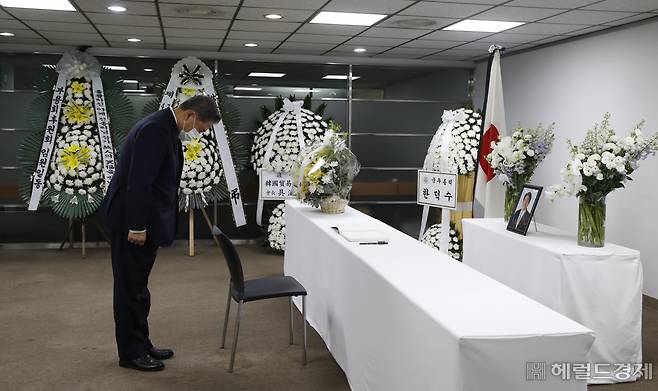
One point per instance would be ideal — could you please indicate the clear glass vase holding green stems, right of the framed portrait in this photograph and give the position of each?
(591, 222)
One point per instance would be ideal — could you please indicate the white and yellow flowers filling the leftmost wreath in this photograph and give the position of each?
(76, 169)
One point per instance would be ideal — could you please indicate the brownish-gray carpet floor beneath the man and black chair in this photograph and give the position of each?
(57, 329)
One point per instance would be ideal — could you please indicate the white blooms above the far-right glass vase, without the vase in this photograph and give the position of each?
(603, 162)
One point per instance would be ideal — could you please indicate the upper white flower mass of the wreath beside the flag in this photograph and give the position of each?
(463, 148)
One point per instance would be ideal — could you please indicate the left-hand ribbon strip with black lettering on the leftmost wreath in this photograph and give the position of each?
(48, 144)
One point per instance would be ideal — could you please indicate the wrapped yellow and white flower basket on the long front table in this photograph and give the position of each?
(324, 173)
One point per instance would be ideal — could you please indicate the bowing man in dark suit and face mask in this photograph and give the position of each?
(141, 210)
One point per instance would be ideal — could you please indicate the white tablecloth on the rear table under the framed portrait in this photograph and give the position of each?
(600, 288)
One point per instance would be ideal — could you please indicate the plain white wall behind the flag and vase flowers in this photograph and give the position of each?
(573, 84)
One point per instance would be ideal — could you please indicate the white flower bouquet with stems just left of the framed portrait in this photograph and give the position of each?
(515, 158)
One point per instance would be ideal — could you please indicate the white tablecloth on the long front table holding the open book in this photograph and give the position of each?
(403, 316)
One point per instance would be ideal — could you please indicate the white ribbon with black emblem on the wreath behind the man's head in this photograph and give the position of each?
(201, 75)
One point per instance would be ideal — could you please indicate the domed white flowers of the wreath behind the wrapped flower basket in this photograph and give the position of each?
(285, 149)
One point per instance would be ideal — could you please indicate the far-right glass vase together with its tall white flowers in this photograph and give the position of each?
(601, 164)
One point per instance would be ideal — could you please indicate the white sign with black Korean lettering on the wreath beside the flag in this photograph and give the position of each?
(438, 189)
